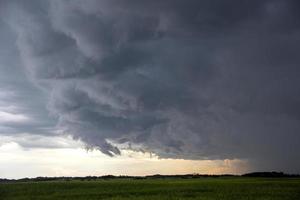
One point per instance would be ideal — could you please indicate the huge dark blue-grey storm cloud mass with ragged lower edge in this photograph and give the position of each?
(183, 79)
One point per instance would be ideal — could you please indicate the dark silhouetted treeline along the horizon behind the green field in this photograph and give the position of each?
(156, 176)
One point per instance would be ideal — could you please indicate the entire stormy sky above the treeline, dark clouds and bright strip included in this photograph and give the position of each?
(142, 87)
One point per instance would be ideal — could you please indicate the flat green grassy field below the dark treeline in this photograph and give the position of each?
(202, 188)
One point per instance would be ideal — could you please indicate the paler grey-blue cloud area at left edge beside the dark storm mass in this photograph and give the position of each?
(22, 108)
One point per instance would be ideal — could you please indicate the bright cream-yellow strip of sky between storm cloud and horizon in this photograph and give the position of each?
(67, 157)
